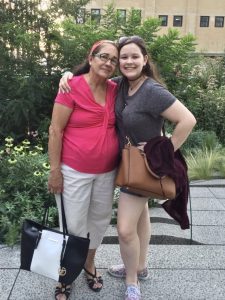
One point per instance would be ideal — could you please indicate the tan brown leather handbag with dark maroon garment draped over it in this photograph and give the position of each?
(135, 175)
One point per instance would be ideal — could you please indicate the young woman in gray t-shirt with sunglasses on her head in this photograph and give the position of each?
(142, 104)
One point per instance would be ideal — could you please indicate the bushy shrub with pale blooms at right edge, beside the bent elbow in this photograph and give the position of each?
(202, 89)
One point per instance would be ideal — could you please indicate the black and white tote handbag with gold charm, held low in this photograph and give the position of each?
(51, 253)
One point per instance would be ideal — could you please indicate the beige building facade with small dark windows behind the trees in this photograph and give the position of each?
(203, 18)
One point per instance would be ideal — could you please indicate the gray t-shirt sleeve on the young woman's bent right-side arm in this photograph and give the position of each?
(158, 99)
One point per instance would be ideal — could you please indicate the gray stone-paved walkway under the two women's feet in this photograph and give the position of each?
(178, 270)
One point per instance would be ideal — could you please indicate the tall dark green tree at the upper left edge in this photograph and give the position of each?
(29, 44)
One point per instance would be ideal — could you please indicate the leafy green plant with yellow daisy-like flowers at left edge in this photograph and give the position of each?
(23, 190)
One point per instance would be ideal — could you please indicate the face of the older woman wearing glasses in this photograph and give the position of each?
(103, 62)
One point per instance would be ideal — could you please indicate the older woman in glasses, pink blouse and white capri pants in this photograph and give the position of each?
(83, 152)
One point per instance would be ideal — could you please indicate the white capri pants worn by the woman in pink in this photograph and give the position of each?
(87, 201)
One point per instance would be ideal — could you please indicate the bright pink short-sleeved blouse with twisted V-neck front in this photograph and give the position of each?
(90, 142)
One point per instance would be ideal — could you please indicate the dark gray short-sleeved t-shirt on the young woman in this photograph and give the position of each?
(139, 115)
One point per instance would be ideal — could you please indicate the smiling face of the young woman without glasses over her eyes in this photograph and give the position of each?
(132, 61)
